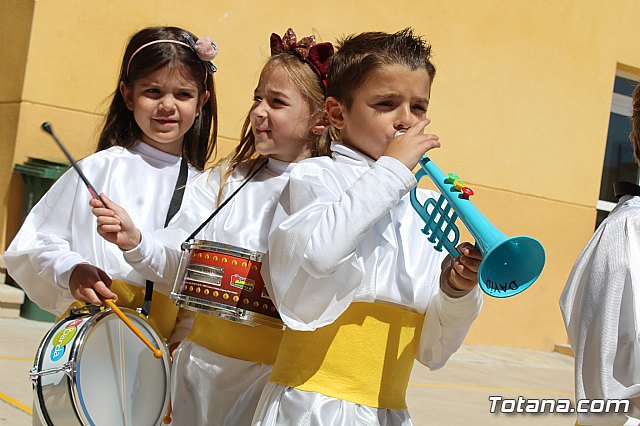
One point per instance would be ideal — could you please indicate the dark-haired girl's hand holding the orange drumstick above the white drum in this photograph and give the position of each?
(90, 284)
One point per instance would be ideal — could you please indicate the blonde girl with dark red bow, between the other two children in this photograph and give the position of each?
(220, 369)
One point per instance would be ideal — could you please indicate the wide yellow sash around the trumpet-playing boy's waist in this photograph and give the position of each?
(365, 356)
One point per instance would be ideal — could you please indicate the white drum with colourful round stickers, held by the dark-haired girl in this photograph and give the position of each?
(93, 370)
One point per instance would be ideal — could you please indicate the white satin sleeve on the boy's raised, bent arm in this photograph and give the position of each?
(316, 272)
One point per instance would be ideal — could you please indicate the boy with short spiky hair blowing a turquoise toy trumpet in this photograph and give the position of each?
(361, 290)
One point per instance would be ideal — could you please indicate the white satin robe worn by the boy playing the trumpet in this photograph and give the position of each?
(345, 232)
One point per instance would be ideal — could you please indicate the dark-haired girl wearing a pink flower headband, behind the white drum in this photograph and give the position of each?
(159, 132)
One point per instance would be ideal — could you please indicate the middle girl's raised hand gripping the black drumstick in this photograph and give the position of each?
(114, 224)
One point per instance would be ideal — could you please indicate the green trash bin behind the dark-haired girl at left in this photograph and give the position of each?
(38, 175)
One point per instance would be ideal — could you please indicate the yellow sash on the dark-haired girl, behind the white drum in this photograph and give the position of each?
(163, 311)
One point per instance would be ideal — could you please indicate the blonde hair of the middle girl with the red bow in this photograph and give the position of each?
(312, 90)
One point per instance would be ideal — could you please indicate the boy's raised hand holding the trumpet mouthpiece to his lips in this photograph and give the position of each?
(408, 148)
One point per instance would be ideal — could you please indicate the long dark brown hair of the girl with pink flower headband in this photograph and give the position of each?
(120, 127)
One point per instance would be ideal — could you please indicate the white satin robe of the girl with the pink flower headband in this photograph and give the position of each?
(60, 231)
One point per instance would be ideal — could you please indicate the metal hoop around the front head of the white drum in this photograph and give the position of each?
(78, 343)
